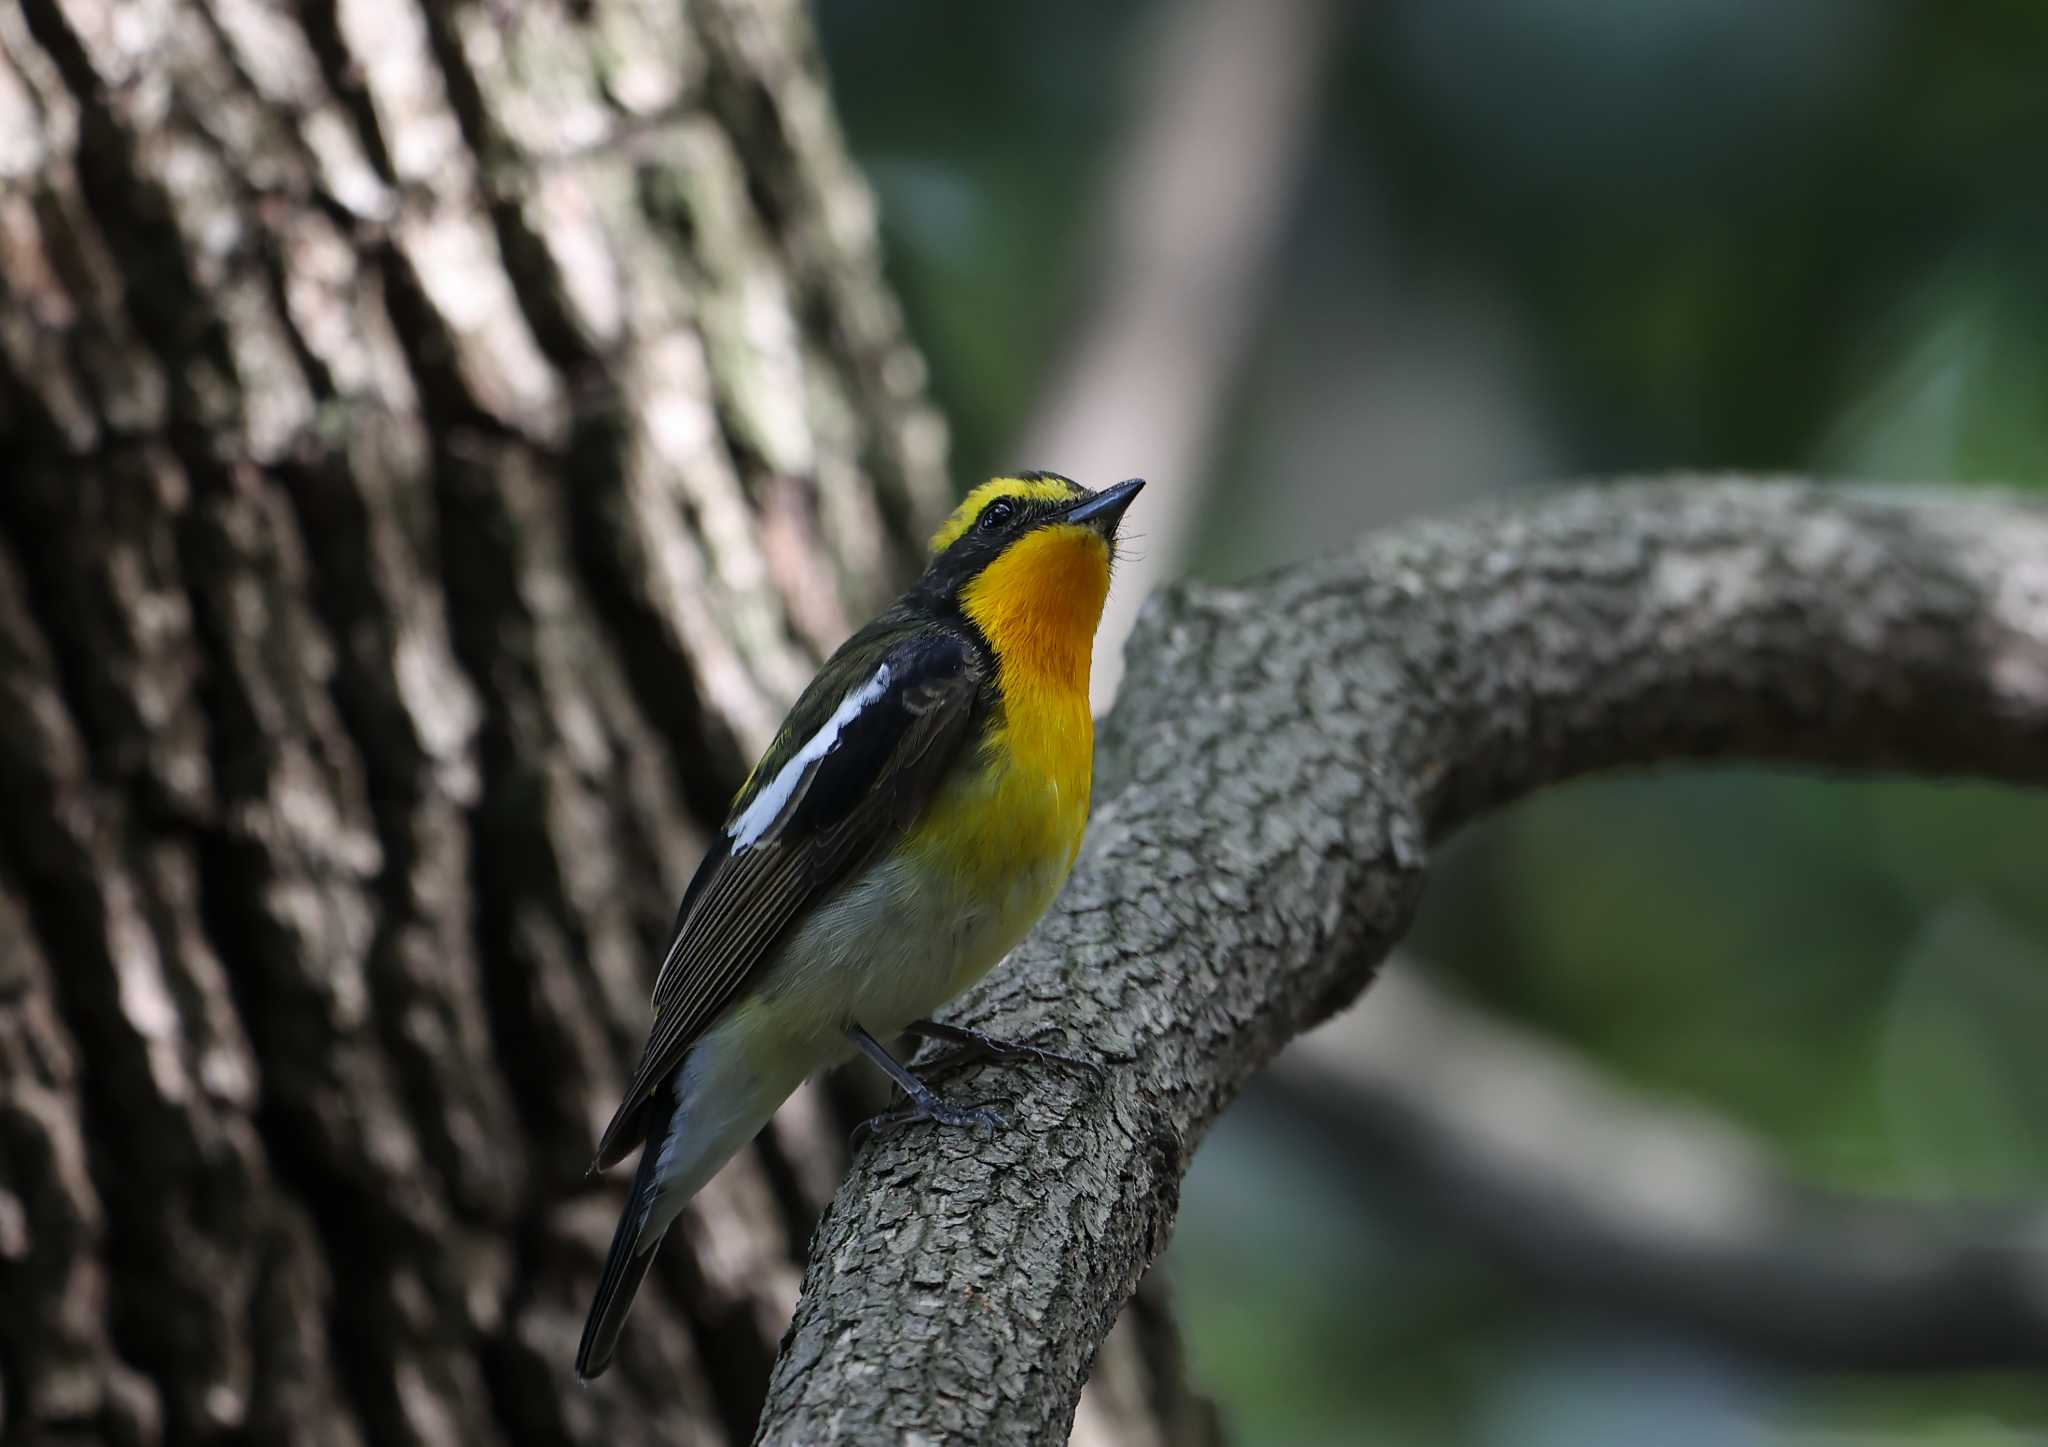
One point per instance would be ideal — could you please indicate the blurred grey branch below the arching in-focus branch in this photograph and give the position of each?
(1652, 1207)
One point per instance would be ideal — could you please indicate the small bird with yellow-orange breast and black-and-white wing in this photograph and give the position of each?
(910, 822)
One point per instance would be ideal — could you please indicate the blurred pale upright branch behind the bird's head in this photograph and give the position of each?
(1191, 220)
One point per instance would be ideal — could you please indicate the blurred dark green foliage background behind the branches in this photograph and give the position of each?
(1531, 240)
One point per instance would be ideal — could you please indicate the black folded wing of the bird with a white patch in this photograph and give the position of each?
(816, 809)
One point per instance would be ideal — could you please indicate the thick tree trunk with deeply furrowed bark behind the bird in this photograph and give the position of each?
(437, 443)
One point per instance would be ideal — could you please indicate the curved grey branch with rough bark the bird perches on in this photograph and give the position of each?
(1271, 781)
